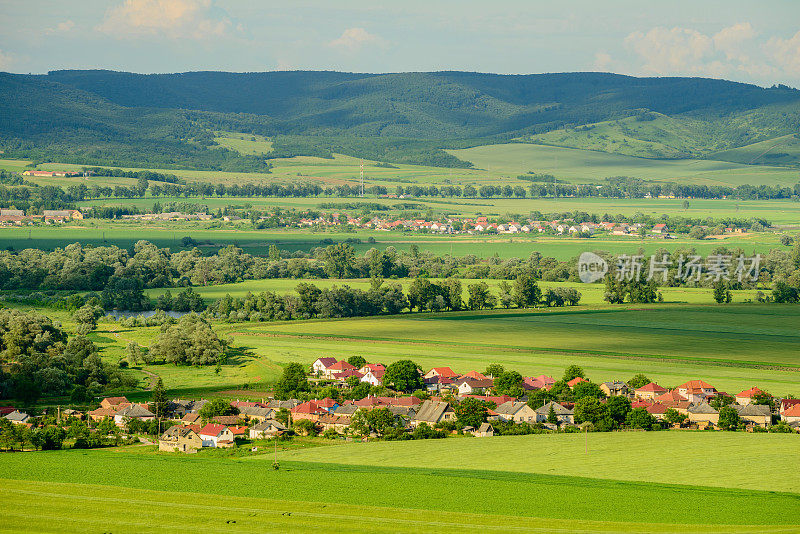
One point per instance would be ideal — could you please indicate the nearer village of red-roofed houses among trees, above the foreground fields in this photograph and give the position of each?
(440, 408)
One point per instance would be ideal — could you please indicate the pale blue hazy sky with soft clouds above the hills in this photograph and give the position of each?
(754, 42)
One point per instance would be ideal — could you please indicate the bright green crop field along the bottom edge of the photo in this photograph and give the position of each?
(344, 497)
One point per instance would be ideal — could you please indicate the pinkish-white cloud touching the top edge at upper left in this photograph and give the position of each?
(175, 19)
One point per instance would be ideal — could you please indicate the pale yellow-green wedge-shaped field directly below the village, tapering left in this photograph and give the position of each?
(720, 459)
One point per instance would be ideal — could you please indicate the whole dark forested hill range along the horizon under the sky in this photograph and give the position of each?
(168, 120)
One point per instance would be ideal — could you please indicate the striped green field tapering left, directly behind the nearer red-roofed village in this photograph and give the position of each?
(733, 347)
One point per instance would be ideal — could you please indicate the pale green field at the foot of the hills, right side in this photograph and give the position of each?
(579, 166)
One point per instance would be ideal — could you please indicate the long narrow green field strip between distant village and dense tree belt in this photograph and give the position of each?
(257, 242)
